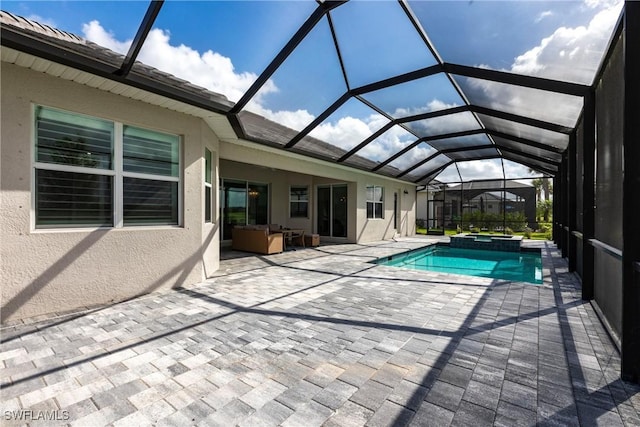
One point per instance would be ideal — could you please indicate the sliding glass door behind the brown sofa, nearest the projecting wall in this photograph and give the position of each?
(242, 203)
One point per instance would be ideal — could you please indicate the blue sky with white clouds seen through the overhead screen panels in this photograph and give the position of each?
(225, 45)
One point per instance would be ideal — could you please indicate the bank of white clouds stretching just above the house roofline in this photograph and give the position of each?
(216, 73)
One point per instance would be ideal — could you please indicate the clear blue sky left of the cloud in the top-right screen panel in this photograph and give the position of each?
(495, 32)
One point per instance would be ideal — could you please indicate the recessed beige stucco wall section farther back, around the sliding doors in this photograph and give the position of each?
(284, 169)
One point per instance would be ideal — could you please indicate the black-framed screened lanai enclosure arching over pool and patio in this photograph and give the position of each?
(423, 91)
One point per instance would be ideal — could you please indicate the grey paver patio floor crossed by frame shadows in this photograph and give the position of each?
(321, 336)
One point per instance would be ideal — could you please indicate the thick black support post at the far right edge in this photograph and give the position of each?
(630, 200)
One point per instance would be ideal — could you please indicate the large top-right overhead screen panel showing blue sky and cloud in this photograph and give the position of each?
(560, 40)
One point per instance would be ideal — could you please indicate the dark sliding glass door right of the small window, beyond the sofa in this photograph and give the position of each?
(332, 210)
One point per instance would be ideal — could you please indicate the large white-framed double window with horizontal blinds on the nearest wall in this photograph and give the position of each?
(91, 172)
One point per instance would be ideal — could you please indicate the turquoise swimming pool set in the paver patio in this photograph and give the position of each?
(525, 266)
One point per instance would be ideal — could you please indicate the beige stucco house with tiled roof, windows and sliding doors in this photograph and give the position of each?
(110, 191)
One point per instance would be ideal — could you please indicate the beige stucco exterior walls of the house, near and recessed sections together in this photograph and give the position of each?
(58, 270)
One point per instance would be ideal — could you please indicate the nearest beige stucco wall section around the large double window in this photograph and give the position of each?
(45, 271)
